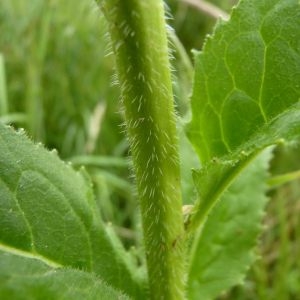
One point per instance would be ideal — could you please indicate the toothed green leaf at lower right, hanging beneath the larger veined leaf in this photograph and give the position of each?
(223, 250)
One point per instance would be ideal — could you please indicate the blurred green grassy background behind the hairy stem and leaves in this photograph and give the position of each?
(57, 81)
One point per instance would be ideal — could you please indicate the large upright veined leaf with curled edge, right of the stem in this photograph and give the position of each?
(246, 93)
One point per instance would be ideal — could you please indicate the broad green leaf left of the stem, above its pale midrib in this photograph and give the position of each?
(47, 209)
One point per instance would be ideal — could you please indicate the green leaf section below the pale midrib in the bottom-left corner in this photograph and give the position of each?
(27, 278)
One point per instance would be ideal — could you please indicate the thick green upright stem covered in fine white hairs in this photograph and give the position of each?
(139, 40)
